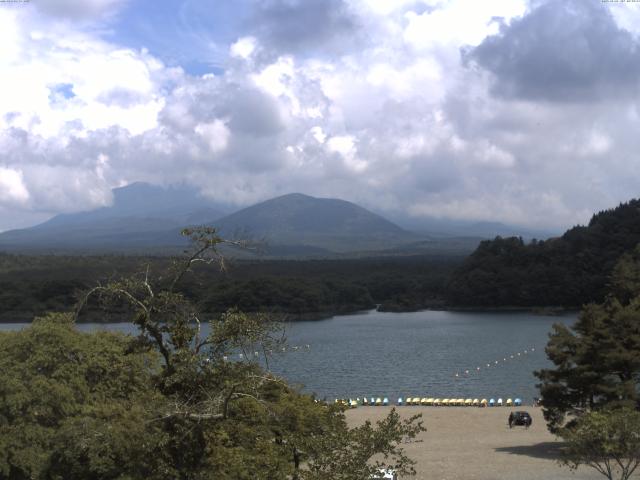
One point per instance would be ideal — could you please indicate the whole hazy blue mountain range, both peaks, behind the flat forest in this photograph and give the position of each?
(147, 219)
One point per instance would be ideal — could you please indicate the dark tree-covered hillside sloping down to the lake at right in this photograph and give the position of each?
(567, 271)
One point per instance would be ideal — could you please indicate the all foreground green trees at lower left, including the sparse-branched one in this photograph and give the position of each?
(168, 404)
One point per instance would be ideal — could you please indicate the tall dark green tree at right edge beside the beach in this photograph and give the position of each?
(597, 361)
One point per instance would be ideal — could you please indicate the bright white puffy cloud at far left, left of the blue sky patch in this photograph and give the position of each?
(95, 73)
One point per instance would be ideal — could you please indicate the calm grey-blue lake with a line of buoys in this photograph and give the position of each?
(411, 354)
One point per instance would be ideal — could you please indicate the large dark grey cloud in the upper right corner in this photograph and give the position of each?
(563, 50)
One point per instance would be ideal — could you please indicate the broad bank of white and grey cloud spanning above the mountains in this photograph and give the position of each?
(396, 122)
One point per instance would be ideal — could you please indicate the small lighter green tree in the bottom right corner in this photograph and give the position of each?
(608, 441)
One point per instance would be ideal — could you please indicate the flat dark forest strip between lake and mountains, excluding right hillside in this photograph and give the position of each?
(33, 285)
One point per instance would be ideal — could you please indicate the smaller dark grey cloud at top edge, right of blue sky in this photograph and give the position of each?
(291, 26)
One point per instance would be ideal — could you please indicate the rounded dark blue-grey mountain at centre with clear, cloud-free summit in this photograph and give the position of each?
(296, 220)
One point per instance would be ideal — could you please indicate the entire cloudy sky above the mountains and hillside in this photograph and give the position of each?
(519, 111)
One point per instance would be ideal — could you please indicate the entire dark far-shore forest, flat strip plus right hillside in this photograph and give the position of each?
(566, 272)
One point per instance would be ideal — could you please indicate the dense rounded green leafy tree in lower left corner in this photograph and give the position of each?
(54, 379)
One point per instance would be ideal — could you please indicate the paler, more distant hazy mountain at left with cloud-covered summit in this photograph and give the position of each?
(140, 217)
